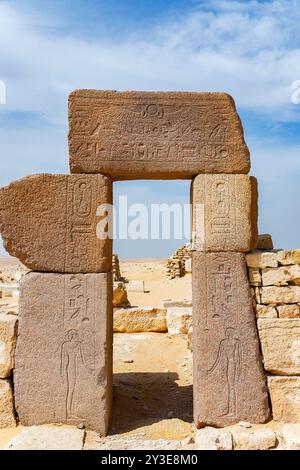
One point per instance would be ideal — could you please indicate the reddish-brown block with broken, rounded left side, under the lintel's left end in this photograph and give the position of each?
(49, 222)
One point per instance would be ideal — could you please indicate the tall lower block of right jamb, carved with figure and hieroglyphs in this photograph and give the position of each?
(229, 384)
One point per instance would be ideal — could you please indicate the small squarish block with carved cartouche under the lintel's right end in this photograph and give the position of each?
(224, 213)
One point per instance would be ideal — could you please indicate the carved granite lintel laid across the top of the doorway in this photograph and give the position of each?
(130, 135)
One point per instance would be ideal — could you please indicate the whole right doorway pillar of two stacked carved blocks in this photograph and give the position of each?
(229, 383)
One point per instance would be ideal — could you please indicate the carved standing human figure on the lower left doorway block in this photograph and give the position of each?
(71, 356)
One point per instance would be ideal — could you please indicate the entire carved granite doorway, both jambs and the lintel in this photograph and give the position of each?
(63, 360)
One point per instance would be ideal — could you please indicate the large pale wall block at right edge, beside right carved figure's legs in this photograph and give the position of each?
(280, 343)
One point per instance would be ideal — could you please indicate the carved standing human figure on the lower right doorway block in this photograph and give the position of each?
(230, 352)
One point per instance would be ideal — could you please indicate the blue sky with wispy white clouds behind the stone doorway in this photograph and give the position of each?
(250, 49)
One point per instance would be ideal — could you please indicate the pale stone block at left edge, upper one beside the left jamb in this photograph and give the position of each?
(8, 334)
